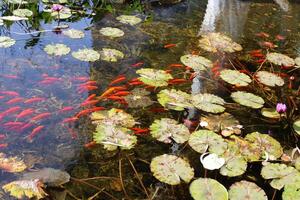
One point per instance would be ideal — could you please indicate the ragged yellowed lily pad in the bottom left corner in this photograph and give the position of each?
(25, 188)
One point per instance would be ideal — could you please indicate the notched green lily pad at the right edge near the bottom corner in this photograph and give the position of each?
(280, 174)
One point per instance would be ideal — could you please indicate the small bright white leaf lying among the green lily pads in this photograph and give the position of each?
(212, 161)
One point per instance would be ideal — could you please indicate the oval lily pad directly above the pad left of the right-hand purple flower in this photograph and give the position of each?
(269, 79)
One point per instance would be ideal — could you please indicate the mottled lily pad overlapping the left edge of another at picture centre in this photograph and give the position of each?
(174, 99)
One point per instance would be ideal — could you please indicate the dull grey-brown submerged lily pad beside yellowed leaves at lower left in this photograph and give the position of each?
(49, 176)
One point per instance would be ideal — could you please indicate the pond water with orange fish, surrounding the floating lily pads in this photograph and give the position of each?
(50, 91)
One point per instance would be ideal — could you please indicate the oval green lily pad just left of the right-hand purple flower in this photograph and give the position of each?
(248, 99)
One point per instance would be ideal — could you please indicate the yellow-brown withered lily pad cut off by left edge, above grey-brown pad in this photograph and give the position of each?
(11, 164)
